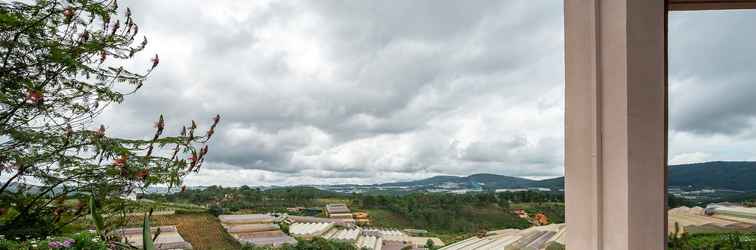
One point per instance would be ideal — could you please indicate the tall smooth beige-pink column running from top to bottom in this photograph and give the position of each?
(615, 124)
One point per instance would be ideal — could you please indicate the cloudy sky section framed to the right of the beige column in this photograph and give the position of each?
(712, 86)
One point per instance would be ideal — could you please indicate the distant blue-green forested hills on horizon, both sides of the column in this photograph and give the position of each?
(718, 175)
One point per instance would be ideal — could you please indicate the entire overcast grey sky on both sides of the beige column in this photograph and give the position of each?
(325, 92)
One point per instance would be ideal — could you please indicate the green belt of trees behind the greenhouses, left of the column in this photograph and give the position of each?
(440, 212)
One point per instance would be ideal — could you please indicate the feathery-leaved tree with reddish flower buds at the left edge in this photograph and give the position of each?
(60, 67)
